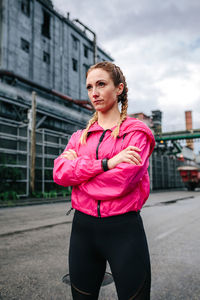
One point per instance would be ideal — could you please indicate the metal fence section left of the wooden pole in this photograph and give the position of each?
(14, 157)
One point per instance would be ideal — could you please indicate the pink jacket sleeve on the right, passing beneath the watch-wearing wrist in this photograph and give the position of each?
(120, 180)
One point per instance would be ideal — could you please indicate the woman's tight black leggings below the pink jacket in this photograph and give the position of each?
(121, 241)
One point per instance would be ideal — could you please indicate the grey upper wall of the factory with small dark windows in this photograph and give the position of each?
(47, 60)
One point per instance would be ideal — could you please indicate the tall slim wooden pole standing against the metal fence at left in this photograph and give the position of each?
(33, 142)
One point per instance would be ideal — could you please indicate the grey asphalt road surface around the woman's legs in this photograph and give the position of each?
(34, 249)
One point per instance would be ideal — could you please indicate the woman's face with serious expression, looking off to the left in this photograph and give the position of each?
(102, 91)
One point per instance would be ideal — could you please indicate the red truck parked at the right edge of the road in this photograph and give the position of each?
(190, 176)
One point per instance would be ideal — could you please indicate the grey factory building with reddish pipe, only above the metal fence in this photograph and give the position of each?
(42, 50)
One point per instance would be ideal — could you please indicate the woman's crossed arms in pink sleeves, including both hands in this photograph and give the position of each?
(125, 169)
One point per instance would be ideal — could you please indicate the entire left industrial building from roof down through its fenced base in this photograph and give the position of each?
(48, 53)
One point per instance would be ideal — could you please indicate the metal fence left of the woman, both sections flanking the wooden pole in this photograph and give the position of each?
(15, 156)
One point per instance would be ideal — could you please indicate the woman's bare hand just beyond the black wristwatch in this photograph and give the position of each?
(128, 155)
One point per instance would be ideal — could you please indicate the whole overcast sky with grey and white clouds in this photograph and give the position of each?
(157, 45)
